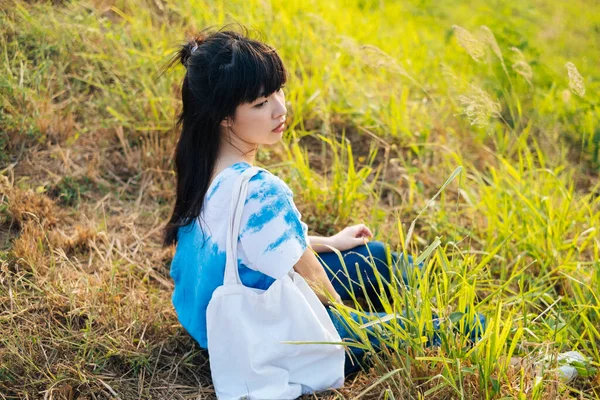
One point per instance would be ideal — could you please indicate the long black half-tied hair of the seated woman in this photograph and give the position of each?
(224, 69)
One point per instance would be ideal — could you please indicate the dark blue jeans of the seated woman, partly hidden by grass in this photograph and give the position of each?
(344, 284)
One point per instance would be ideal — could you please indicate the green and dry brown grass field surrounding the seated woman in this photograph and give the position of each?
(464, 133)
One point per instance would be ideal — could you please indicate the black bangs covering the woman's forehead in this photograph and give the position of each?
(258, 72)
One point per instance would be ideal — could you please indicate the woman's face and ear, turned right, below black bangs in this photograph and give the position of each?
(259, 122)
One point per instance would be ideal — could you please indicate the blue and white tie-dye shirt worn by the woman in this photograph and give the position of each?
(272, 239)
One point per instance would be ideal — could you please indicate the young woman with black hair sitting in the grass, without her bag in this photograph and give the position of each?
(233, 102)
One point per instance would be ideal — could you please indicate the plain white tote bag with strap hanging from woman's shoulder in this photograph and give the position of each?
(246, 328)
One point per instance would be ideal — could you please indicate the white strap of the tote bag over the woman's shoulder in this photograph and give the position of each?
(238, 198)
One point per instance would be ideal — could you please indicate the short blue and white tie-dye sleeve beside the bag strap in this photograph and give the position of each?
(272, 234)
